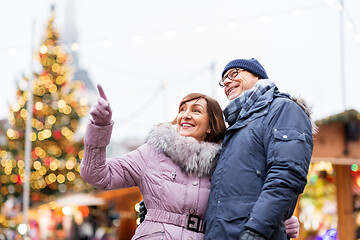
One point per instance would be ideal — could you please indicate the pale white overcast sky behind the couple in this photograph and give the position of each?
(149, 54)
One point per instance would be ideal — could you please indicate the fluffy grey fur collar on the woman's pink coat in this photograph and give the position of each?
(192, 156)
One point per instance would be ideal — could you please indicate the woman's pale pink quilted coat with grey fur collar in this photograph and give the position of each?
(171, 171)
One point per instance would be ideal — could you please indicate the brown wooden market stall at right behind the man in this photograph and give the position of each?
(337, 142)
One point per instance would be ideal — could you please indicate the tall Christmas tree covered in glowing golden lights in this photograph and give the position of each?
(56, 154)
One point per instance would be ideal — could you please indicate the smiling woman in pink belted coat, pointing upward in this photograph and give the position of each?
(172, 169)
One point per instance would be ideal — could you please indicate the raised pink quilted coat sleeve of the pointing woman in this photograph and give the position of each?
(109, 173)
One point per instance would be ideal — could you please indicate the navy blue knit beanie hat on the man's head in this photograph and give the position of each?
(250, 65)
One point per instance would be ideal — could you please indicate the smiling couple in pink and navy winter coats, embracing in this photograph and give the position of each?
(201, 180)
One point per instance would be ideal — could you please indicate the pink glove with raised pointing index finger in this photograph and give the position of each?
(101, 112)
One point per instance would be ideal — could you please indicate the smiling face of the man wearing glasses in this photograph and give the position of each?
(243, 81)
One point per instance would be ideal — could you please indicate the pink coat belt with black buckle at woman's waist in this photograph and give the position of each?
(188, 221)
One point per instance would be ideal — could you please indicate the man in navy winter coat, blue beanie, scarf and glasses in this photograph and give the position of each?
(264, 159)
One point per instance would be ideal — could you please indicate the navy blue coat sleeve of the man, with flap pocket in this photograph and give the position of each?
(288, 147)
